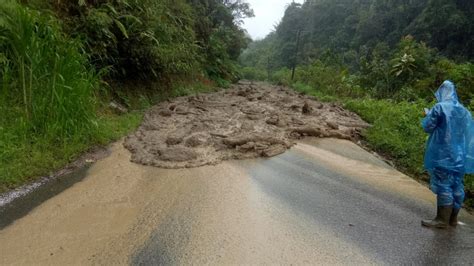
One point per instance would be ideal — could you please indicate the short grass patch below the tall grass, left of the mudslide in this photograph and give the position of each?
(24, 160)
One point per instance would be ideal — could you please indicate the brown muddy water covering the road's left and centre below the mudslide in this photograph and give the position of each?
(122, 208)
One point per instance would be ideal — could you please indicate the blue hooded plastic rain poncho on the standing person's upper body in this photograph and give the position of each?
(450, 147)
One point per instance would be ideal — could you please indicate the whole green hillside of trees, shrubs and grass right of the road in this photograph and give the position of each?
(381, 59)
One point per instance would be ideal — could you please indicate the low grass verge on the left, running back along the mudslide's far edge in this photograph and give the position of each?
(24, 160)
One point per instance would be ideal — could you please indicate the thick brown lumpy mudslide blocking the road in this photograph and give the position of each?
(248, 120)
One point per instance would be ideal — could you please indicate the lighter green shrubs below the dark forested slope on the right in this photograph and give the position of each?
(409, 71)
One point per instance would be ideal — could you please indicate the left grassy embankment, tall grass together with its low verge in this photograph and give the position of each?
(54, 104)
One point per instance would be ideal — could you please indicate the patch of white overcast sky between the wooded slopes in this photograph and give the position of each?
(267, 14)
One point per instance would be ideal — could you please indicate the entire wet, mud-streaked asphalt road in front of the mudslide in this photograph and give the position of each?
(323, 202)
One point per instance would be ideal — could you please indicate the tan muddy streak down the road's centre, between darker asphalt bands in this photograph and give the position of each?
(230, 220)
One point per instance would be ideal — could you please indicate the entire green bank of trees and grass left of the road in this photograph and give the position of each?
(62, 62)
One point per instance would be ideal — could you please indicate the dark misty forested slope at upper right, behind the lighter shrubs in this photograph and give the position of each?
(359, 26)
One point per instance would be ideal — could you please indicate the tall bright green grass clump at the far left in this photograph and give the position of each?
(44, 76)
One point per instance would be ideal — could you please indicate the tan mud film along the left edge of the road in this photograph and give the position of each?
(74, 225)
